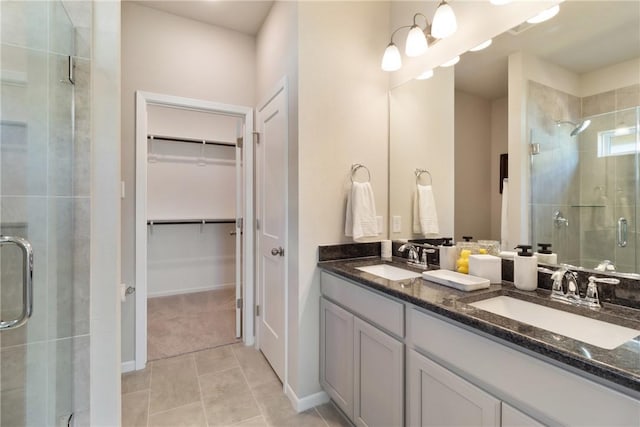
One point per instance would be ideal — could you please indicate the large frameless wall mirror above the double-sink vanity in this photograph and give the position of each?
(526, 96)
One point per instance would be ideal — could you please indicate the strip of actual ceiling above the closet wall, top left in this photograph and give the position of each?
(238, 15)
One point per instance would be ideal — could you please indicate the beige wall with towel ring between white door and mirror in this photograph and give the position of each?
(343, 120)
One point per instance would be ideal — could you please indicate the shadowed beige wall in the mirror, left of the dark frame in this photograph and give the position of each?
(472, 166)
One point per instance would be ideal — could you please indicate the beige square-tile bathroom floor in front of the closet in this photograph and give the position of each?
(223, 386)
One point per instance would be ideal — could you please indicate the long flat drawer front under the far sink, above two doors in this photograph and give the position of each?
(382, 311)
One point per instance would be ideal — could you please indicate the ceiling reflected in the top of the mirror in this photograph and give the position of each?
(583, 37)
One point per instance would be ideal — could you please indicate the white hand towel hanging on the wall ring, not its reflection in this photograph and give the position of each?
(361, 215)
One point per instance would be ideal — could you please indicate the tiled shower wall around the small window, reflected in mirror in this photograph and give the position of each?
(609, 184)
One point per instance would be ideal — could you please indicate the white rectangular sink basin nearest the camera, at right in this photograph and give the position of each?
(592, 331)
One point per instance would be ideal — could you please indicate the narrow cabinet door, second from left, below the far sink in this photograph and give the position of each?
(379, 377)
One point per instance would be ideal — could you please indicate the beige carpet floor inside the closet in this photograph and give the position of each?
(181, 324)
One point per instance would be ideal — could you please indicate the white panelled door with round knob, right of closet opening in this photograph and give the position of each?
(271, 198)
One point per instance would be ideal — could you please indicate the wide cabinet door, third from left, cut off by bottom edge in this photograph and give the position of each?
(437, 397)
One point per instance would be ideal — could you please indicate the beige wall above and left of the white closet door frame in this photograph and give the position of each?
(167, 54)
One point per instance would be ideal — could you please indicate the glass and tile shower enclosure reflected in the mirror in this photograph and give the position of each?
(585, 187)
